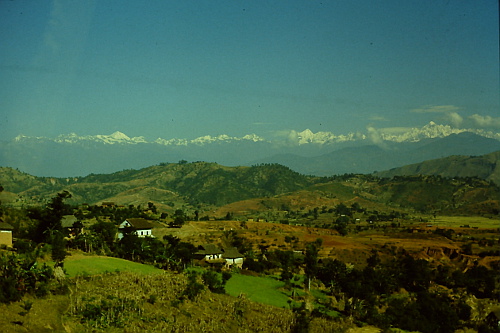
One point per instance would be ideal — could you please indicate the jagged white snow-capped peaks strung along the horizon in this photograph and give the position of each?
(429, 131)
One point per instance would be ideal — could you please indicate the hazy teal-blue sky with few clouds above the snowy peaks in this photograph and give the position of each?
(183, 69)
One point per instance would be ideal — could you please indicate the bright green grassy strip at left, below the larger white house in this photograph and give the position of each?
(100, 265)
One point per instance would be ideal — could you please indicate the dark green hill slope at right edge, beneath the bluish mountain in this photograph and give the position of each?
(485, 167)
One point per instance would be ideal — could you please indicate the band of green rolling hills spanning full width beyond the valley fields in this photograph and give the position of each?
(212, 188)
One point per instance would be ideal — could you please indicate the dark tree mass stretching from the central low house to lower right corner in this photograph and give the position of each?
(372, 294)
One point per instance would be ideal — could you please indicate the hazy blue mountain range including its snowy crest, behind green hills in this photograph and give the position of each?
(321, 153)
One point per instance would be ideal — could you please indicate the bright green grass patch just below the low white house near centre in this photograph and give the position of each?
(258, 289)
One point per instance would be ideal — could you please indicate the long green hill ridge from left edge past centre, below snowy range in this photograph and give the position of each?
(198, 182)
